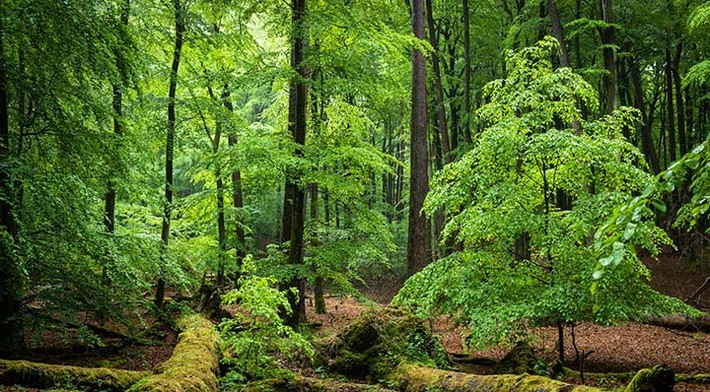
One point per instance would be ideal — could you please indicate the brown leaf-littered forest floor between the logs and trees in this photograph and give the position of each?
(622, 348)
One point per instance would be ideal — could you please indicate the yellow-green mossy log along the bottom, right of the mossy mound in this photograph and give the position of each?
(411, 377)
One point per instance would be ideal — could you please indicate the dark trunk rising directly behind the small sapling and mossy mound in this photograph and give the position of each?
(297, 103)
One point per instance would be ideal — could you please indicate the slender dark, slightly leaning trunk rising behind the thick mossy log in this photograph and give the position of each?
(169, 143)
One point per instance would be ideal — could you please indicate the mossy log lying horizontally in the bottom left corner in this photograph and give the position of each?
(40, 375)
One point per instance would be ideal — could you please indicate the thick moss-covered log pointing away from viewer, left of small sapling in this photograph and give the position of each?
(194, 365)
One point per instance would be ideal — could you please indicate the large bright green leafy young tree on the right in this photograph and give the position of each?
(524, 204)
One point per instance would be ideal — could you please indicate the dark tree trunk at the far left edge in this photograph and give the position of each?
(12, 340)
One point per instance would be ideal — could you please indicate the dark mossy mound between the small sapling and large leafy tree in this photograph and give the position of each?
(377, 341)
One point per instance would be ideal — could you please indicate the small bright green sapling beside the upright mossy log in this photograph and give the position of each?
(255, 340)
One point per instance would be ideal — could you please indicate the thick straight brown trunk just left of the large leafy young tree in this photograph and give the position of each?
(418, 235)
